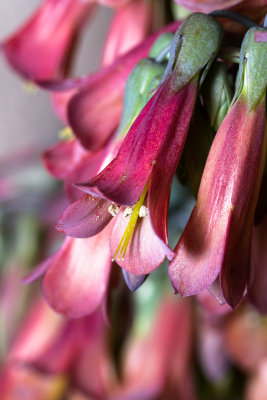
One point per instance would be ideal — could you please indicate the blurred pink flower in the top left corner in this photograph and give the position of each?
(40, 49)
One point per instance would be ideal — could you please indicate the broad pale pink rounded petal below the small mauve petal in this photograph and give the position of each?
(76, 281)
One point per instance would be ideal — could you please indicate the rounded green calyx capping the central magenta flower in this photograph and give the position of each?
(195, 46)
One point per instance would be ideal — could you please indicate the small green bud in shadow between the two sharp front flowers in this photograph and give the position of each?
(217, 94)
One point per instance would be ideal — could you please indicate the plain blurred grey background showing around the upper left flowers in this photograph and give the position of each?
(26, 117)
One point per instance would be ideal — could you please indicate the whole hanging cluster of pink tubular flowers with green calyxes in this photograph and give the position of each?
(181, 102)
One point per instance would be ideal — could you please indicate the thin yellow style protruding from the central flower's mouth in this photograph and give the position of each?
(123, 245)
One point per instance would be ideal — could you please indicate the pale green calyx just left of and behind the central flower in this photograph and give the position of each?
(143, 79)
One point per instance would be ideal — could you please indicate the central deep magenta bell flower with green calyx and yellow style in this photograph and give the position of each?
(148, 157)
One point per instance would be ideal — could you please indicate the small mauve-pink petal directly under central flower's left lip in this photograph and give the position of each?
(85, 218)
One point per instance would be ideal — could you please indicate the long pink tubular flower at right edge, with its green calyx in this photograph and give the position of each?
(218, 237)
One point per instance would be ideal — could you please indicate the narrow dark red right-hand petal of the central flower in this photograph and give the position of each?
(165, 167)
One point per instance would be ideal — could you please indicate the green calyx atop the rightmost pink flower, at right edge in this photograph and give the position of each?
(252, 74)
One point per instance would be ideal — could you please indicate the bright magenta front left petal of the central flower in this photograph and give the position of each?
(146, 144)
